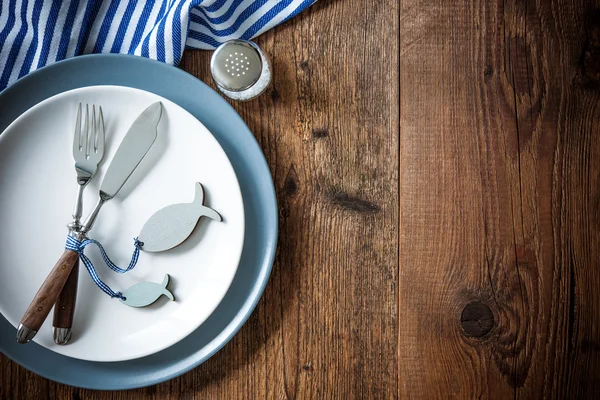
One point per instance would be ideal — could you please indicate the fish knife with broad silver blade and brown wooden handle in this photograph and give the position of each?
(130, 153)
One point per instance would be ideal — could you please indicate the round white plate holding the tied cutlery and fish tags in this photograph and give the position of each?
(38, 186)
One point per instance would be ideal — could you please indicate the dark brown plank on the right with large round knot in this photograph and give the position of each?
(499, 161)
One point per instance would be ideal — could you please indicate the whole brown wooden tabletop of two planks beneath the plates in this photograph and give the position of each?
(437, 165)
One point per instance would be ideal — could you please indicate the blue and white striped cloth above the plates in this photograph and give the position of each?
(35, 33)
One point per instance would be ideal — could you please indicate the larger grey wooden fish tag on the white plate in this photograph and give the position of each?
(173, 224)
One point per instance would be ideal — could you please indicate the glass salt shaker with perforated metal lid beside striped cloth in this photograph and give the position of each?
(240, 69)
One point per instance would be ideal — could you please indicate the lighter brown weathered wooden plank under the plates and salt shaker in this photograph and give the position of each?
(327, 325)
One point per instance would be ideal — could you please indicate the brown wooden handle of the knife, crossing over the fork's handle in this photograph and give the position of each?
(49, 291)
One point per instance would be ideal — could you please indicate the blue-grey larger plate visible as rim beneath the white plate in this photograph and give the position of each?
(259, 202)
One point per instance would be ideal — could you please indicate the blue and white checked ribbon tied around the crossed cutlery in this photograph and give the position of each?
(79, 246)
